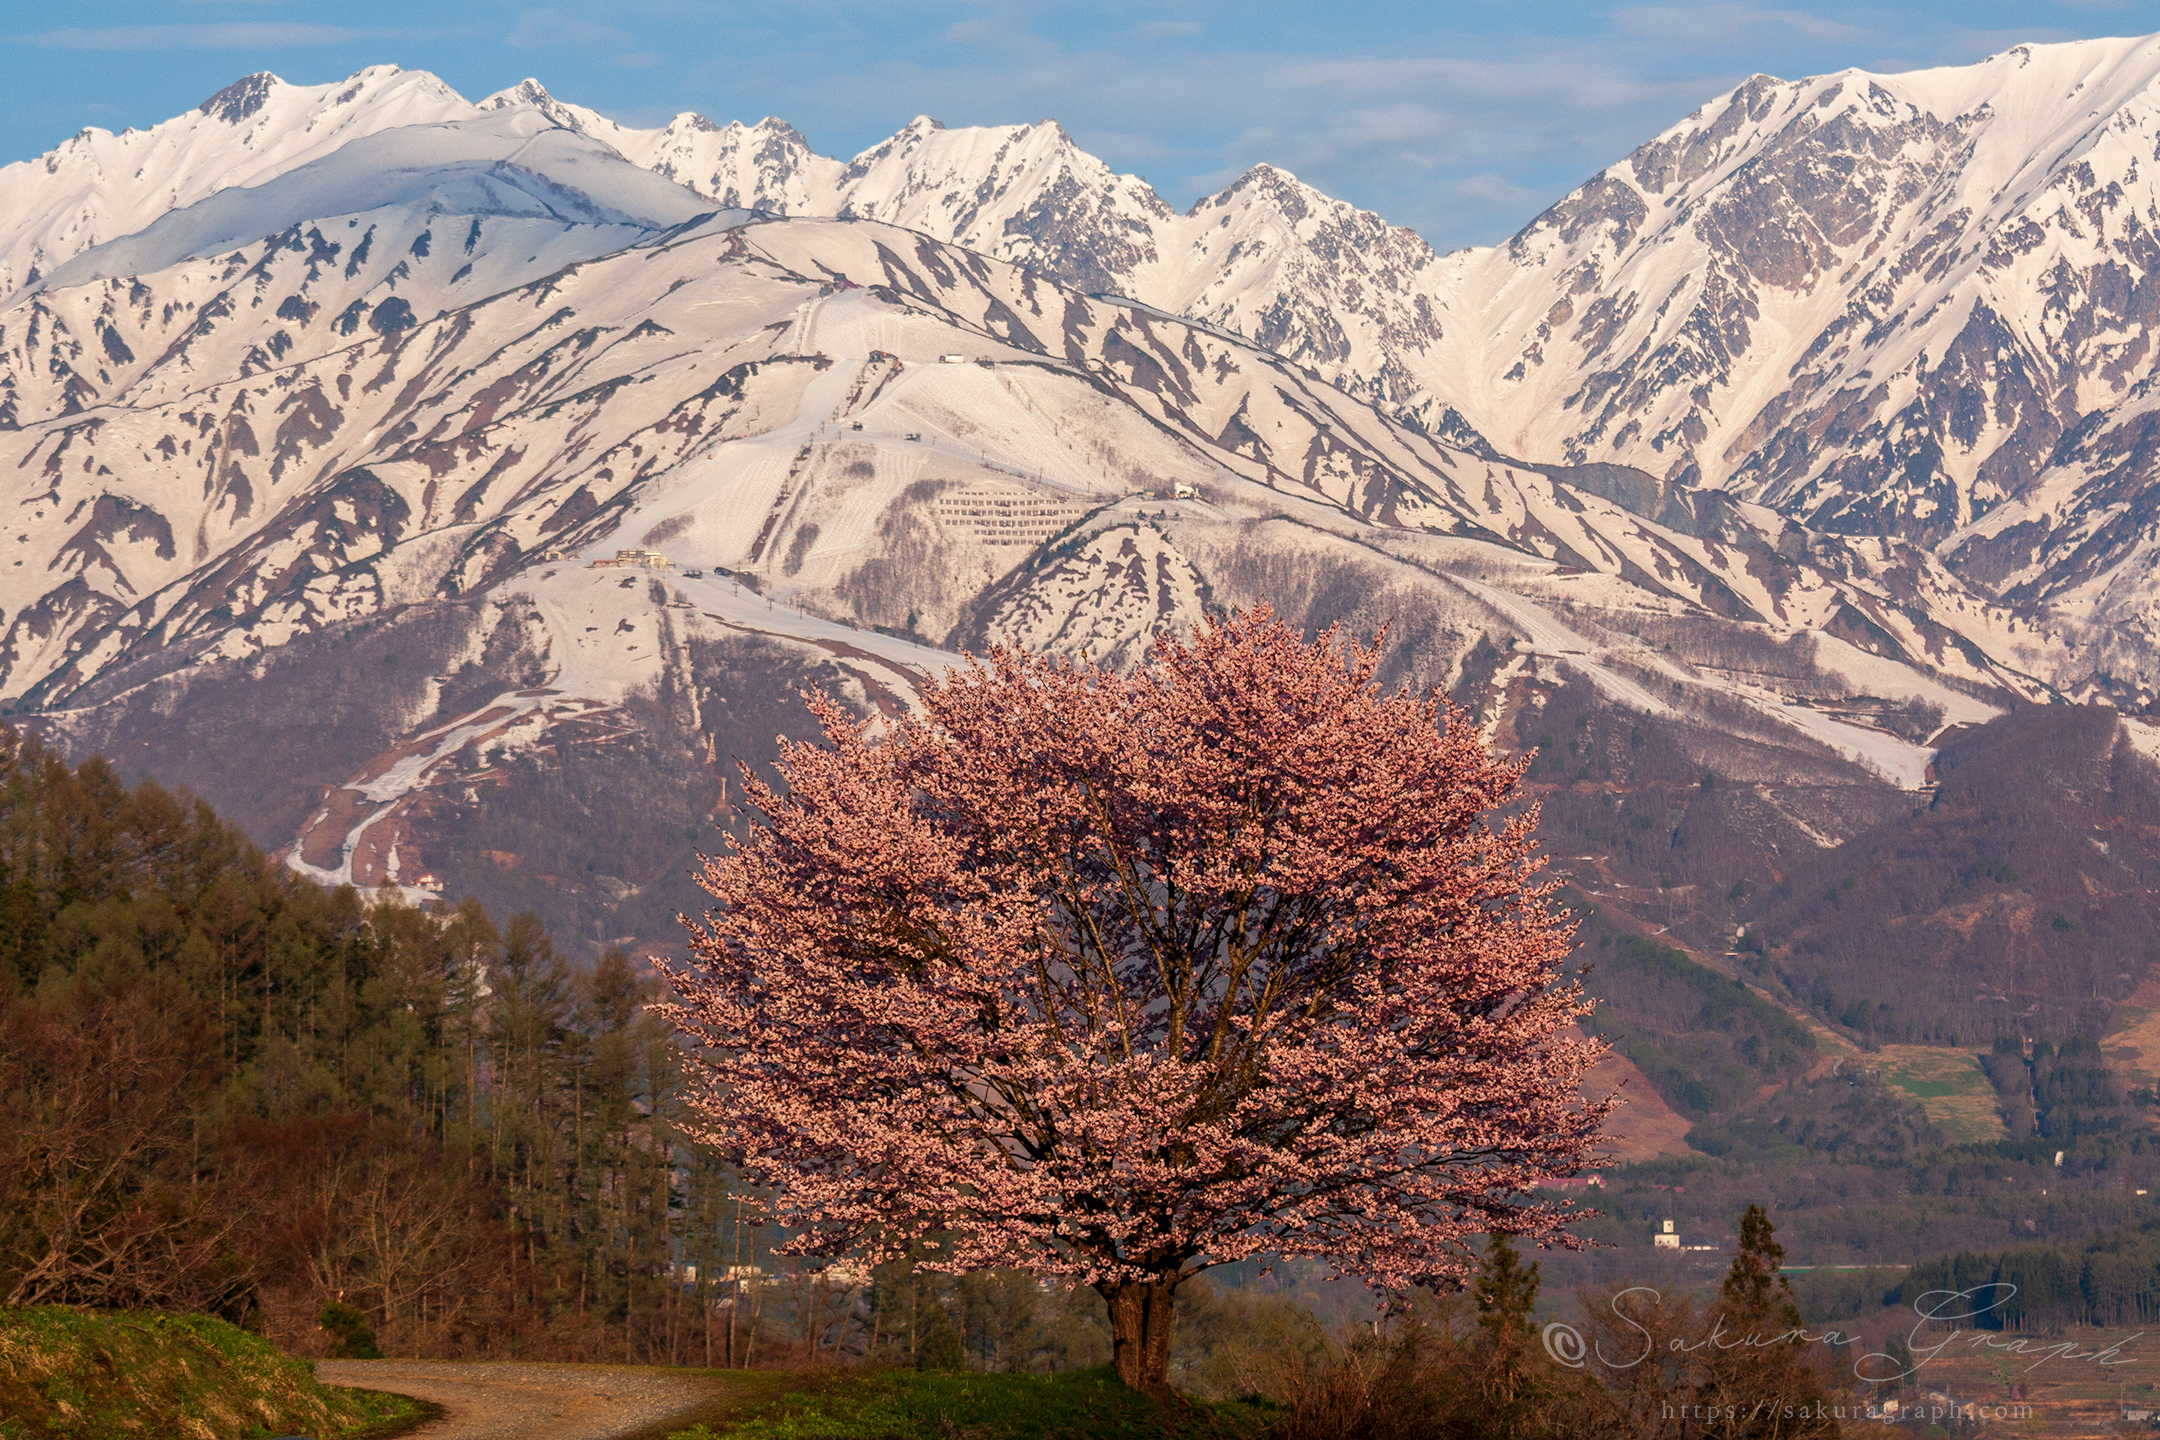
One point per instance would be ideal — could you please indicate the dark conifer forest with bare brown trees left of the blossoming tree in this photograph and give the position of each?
(228, 1089)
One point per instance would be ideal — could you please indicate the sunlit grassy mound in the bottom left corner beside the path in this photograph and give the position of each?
(90, 1374)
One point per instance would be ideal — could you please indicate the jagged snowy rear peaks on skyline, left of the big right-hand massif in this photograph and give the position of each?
(1269, 258)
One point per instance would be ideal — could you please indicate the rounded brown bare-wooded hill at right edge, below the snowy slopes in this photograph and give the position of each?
(2021, 899)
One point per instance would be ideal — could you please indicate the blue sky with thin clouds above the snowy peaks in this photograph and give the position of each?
(1457, 120)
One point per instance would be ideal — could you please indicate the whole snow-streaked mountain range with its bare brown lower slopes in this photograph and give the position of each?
(455, 491)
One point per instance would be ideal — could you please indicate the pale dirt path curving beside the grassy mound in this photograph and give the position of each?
(528, 1402)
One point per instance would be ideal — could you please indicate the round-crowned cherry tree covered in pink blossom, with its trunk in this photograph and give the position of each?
(1124, 977)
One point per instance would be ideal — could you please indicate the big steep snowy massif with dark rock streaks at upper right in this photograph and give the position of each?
(1887, 305)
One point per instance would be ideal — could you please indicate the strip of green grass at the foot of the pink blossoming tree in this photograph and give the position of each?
(936, 1407)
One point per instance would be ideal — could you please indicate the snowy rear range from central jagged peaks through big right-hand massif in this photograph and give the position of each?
(1885, 305)
